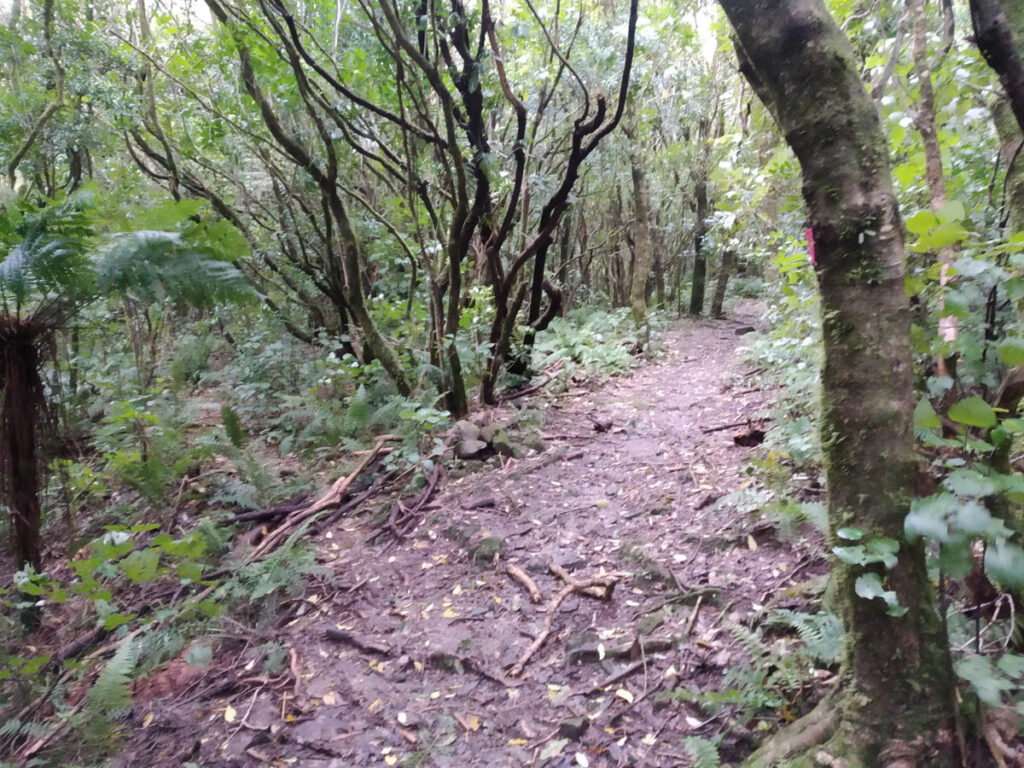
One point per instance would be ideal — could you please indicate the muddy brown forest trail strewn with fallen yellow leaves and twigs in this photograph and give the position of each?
(425, 632)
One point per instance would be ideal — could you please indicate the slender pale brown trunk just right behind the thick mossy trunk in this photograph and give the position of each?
(925, 121)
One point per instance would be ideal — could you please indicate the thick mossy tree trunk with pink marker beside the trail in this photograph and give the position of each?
(894, 707)
